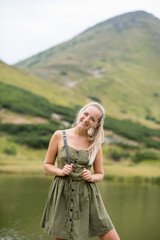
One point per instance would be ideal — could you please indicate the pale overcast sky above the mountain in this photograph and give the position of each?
(28, 27)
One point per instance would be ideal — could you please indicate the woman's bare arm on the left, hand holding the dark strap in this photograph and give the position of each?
(49, 162)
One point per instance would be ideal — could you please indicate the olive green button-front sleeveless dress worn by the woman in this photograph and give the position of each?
(74, 209)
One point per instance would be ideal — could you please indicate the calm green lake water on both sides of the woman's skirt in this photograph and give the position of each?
(133, 208)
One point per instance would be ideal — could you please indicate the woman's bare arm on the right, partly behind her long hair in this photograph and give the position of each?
(98, 169)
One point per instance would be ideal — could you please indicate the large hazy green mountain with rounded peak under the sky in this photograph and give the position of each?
(115, 62)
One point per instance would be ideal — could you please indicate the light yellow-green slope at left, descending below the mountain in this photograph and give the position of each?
(21, 79)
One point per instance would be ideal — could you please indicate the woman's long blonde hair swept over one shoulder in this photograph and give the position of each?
(95, 135)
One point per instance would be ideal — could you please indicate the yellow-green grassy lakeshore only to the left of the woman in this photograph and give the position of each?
(25, 161)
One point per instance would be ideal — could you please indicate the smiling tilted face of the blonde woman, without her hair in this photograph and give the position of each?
(89, 117)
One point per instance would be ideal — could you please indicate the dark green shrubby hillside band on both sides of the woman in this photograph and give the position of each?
(20, 101)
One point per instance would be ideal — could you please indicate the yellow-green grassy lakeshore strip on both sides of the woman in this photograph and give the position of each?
(29, 161)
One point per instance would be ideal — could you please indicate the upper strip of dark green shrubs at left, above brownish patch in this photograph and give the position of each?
(23, 101)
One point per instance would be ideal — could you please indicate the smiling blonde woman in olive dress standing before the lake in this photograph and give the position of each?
(74, 209)
